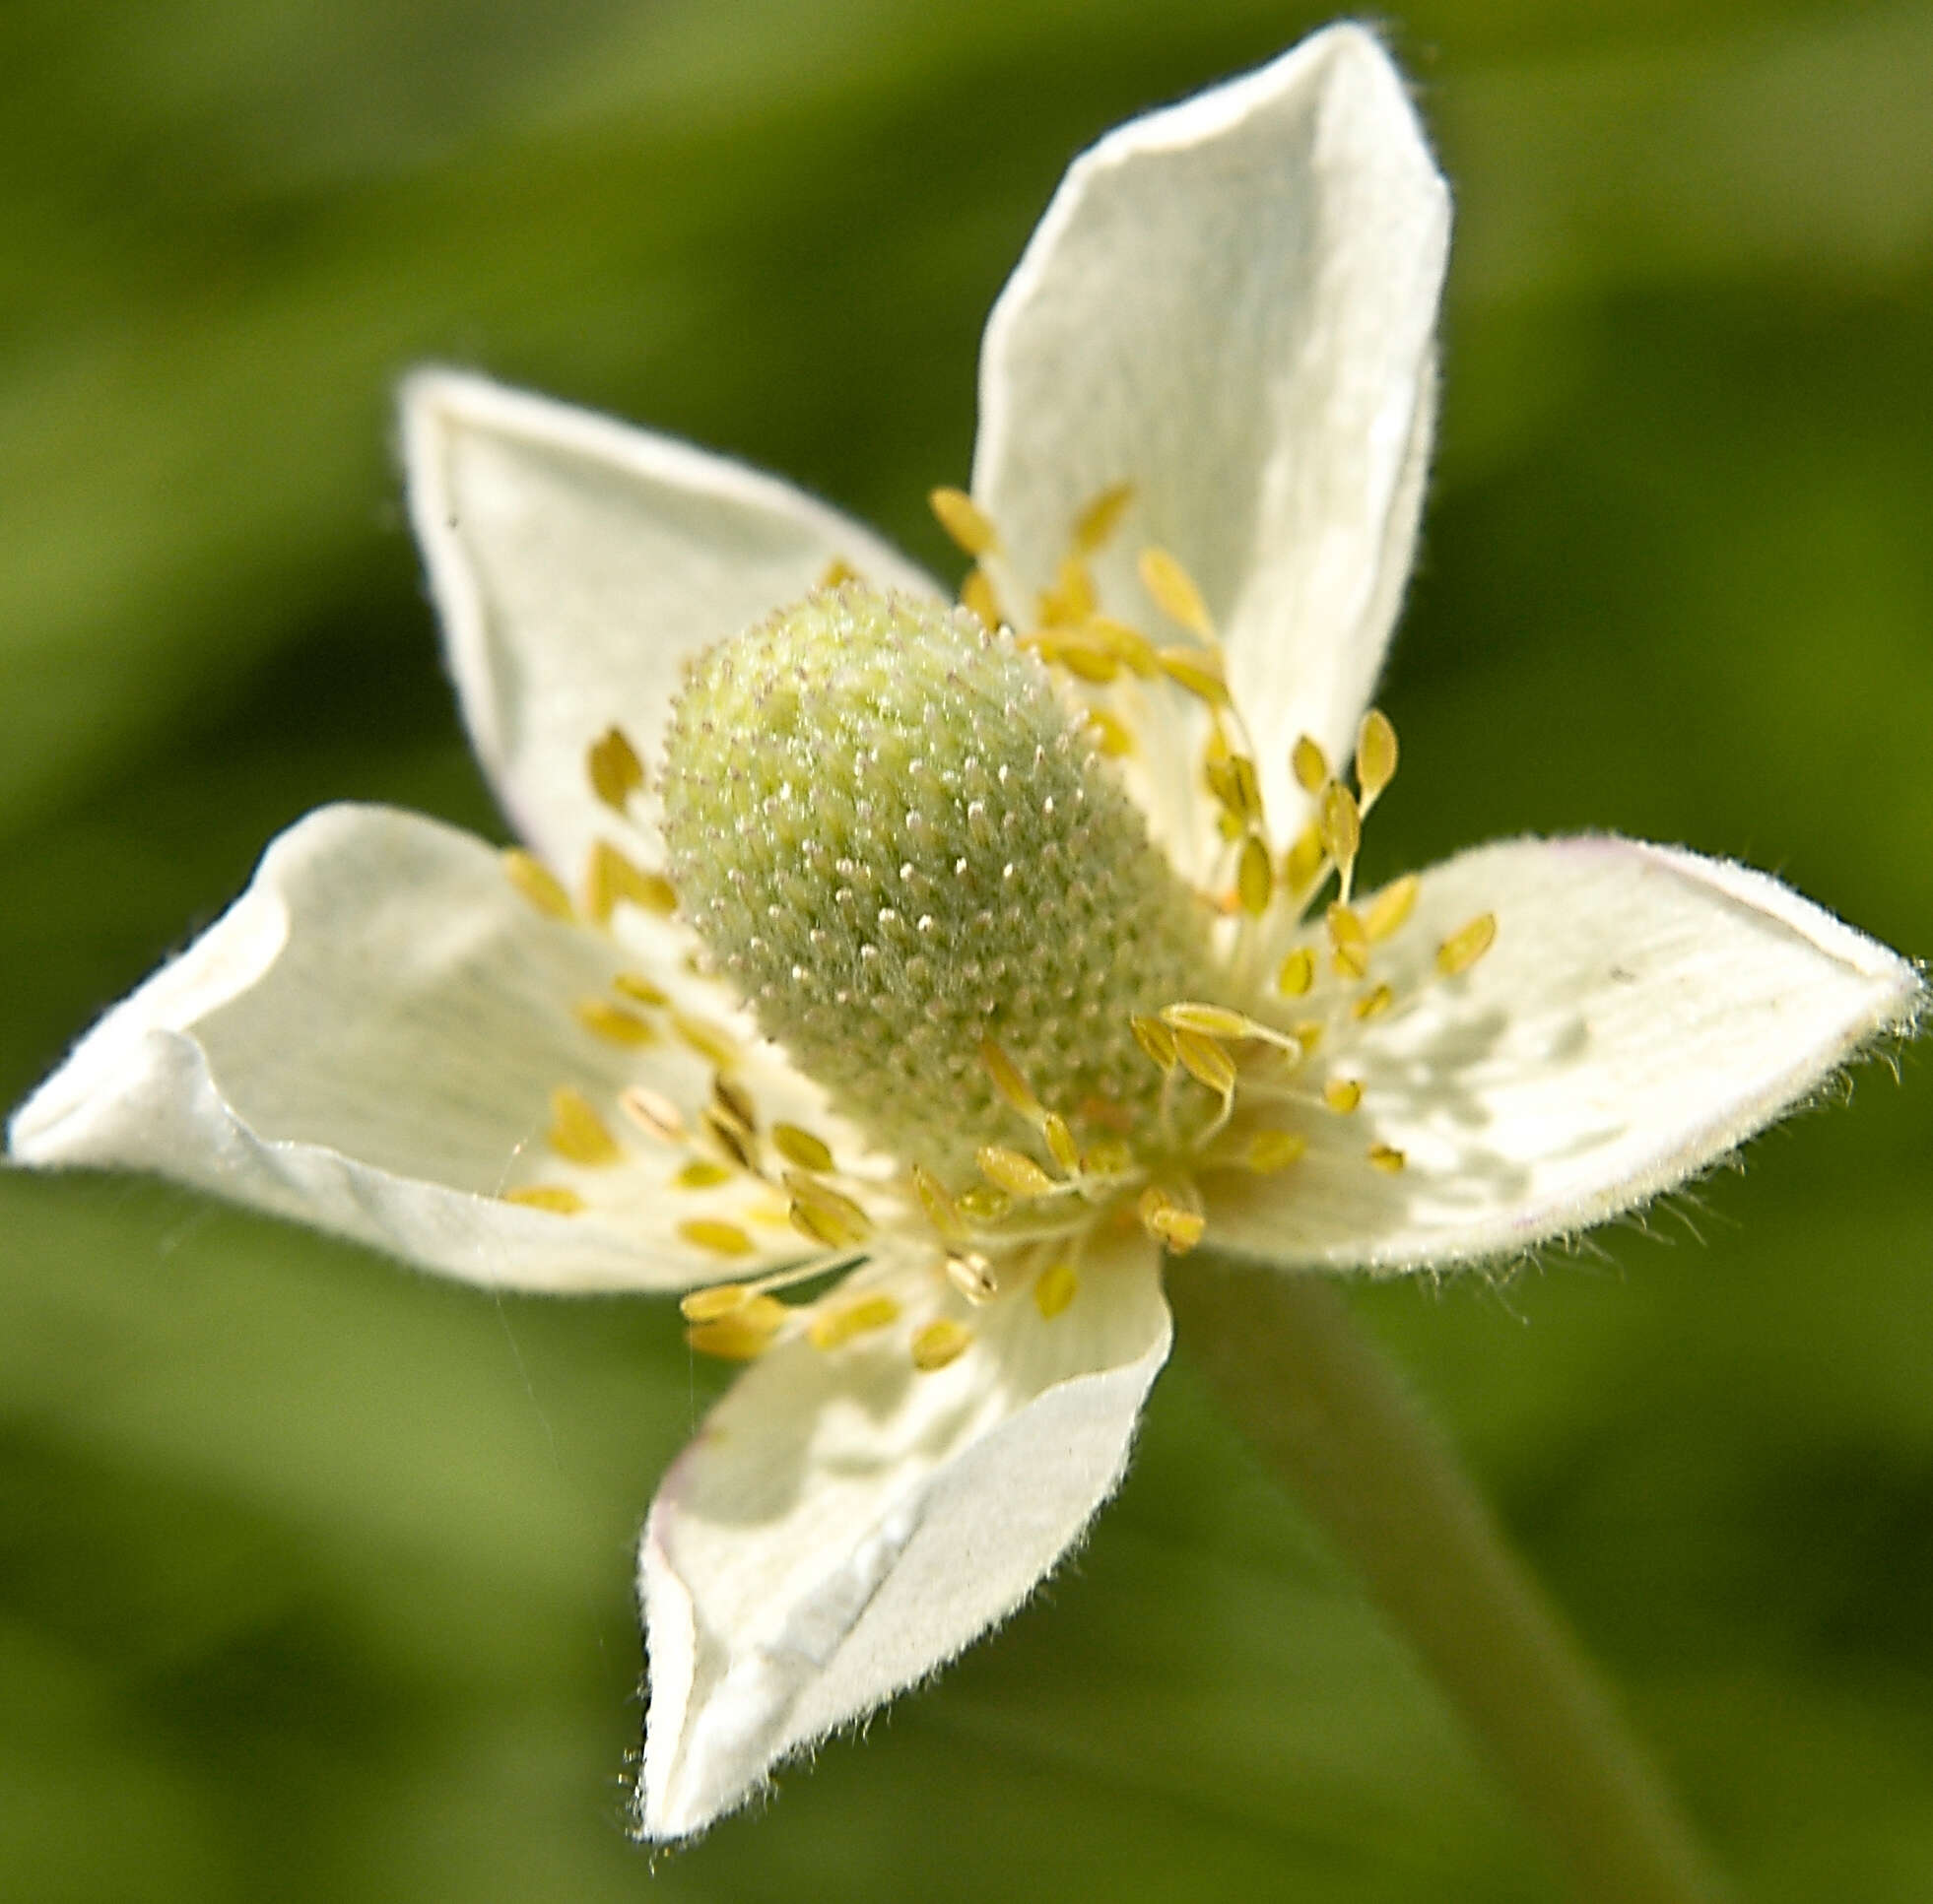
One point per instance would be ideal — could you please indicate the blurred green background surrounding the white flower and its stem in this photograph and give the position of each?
(314, 1576)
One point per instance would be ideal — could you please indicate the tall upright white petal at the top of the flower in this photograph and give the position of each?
(1232, 306)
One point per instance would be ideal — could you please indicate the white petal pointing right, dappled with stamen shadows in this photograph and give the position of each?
(1642, 1014)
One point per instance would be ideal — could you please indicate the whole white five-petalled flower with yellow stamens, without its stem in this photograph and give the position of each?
(1207, 409)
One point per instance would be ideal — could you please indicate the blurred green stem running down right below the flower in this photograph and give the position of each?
(1335, 1422)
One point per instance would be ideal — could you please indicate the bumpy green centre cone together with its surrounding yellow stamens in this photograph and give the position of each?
(933, 892)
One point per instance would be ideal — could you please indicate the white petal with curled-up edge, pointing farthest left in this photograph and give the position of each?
(368, 1041)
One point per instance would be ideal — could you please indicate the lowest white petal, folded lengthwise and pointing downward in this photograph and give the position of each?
(846, 1524)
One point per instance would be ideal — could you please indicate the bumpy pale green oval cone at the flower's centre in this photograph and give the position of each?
(900, 844)
